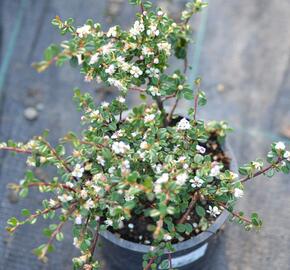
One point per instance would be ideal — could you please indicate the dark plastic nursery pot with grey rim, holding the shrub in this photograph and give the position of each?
(120, 254)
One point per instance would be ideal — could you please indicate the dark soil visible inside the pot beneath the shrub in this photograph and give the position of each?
(140, 233)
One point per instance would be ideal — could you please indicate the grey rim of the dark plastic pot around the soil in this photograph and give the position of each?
(197, 240)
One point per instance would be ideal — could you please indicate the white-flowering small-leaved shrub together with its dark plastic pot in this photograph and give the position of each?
(148, 181)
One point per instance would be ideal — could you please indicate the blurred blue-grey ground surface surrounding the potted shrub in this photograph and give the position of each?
(245, 65)
